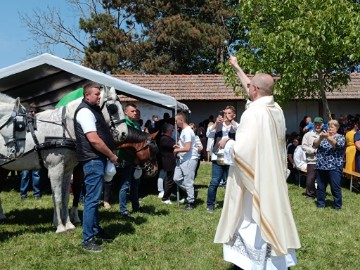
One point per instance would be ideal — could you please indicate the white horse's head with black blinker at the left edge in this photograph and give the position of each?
(12, 127)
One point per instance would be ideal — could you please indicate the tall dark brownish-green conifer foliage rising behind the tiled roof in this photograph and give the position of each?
(177, 37)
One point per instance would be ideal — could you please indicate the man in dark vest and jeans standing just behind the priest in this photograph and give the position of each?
(222, 130)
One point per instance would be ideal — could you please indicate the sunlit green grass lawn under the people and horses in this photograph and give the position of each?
(168, 237)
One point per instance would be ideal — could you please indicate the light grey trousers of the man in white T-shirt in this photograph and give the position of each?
(184, 176)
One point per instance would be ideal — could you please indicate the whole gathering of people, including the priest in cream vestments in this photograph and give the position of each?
(256, 216)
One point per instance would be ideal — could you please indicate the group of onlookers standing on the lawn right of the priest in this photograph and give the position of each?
(324, 150)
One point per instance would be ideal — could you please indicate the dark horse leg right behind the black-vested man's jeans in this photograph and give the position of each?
(78, 179)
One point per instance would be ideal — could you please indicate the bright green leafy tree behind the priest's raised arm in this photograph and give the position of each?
(313, 45)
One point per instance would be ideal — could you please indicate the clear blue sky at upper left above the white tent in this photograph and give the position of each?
(15, 41)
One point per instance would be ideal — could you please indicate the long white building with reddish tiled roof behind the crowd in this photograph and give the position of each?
(207, 94)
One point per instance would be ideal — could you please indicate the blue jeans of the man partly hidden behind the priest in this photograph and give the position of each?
(218, 173)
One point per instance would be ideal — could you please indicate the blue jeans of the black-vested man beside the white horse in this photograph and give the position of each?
(94, 182)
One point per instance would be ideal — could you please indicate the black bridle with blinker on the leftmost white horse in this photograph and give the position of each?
(18, 126)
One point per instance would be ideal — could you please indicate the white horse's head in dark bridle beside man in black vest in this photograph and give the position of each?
(113, 114)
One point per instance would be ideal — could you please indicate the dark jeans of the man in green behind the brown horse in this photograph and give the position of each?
(127, 182)
